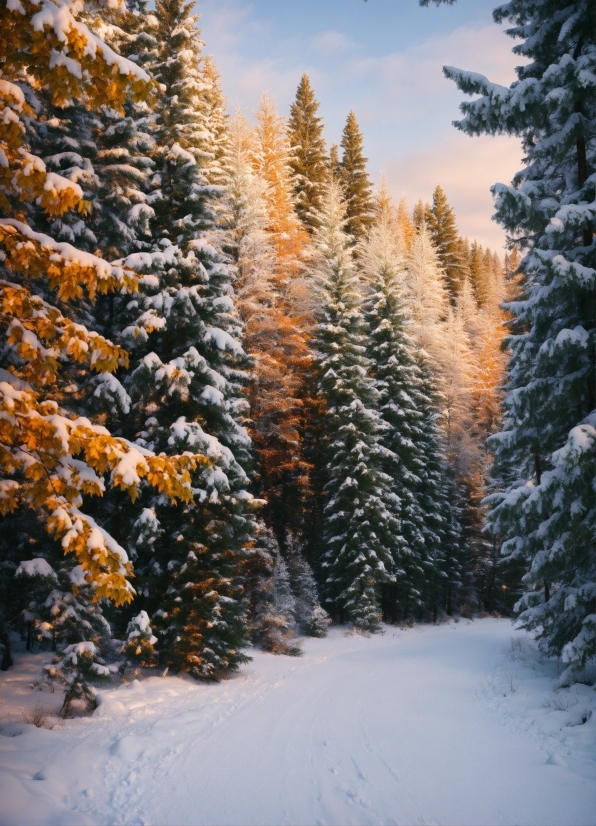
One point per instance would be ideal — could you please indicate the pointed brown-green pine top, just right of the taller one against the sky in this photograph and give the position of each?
(357, 187)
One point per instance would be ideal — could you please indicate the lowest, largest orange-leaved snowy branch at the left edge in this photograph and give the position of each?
(53, 460)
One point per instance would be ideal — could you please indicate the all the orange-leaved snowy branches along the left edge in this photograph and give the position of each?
(48, 459)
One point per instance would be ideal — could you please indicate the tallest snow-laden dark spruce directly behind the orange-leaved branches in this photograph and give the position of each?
(187, 387)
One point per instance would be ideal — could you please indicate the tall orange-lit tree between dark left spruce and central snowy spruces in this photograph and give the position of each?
(274, 301)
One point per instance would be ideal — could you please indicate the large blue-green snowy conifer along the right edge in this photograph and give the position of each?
(545, 452)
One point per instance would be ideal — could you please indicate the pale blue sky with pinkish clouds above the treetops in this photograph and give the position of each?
(382, 59)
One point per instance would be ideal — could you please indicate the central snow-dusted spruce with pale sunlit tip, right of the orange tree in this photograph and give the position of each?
(358, 525)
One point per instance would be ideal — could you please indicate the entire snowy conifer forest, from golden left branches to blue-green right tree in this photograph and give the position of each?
(247, 397)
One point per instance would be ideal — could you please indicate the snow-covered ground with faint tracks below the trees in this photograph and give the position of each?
(455, 724)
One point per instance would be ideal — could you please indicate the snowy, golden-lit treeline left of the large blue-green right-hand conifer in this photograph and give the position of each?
(292, 376)
